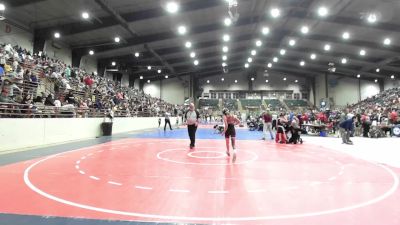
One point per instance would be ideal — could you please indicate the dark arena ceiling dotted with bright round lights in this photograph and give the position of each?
(146, 27)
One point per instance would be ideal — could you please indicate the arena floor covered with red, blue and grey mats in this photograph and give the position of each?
(153, 177)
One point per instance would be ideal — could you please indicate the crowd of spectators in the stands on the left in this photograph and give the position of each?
(73, 91)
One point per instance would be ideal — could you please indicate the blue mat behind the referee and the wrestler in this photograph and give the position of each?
(202, 133)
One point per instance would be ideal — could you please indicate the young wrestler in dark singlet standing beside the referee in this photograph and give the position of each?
(229, 131)
